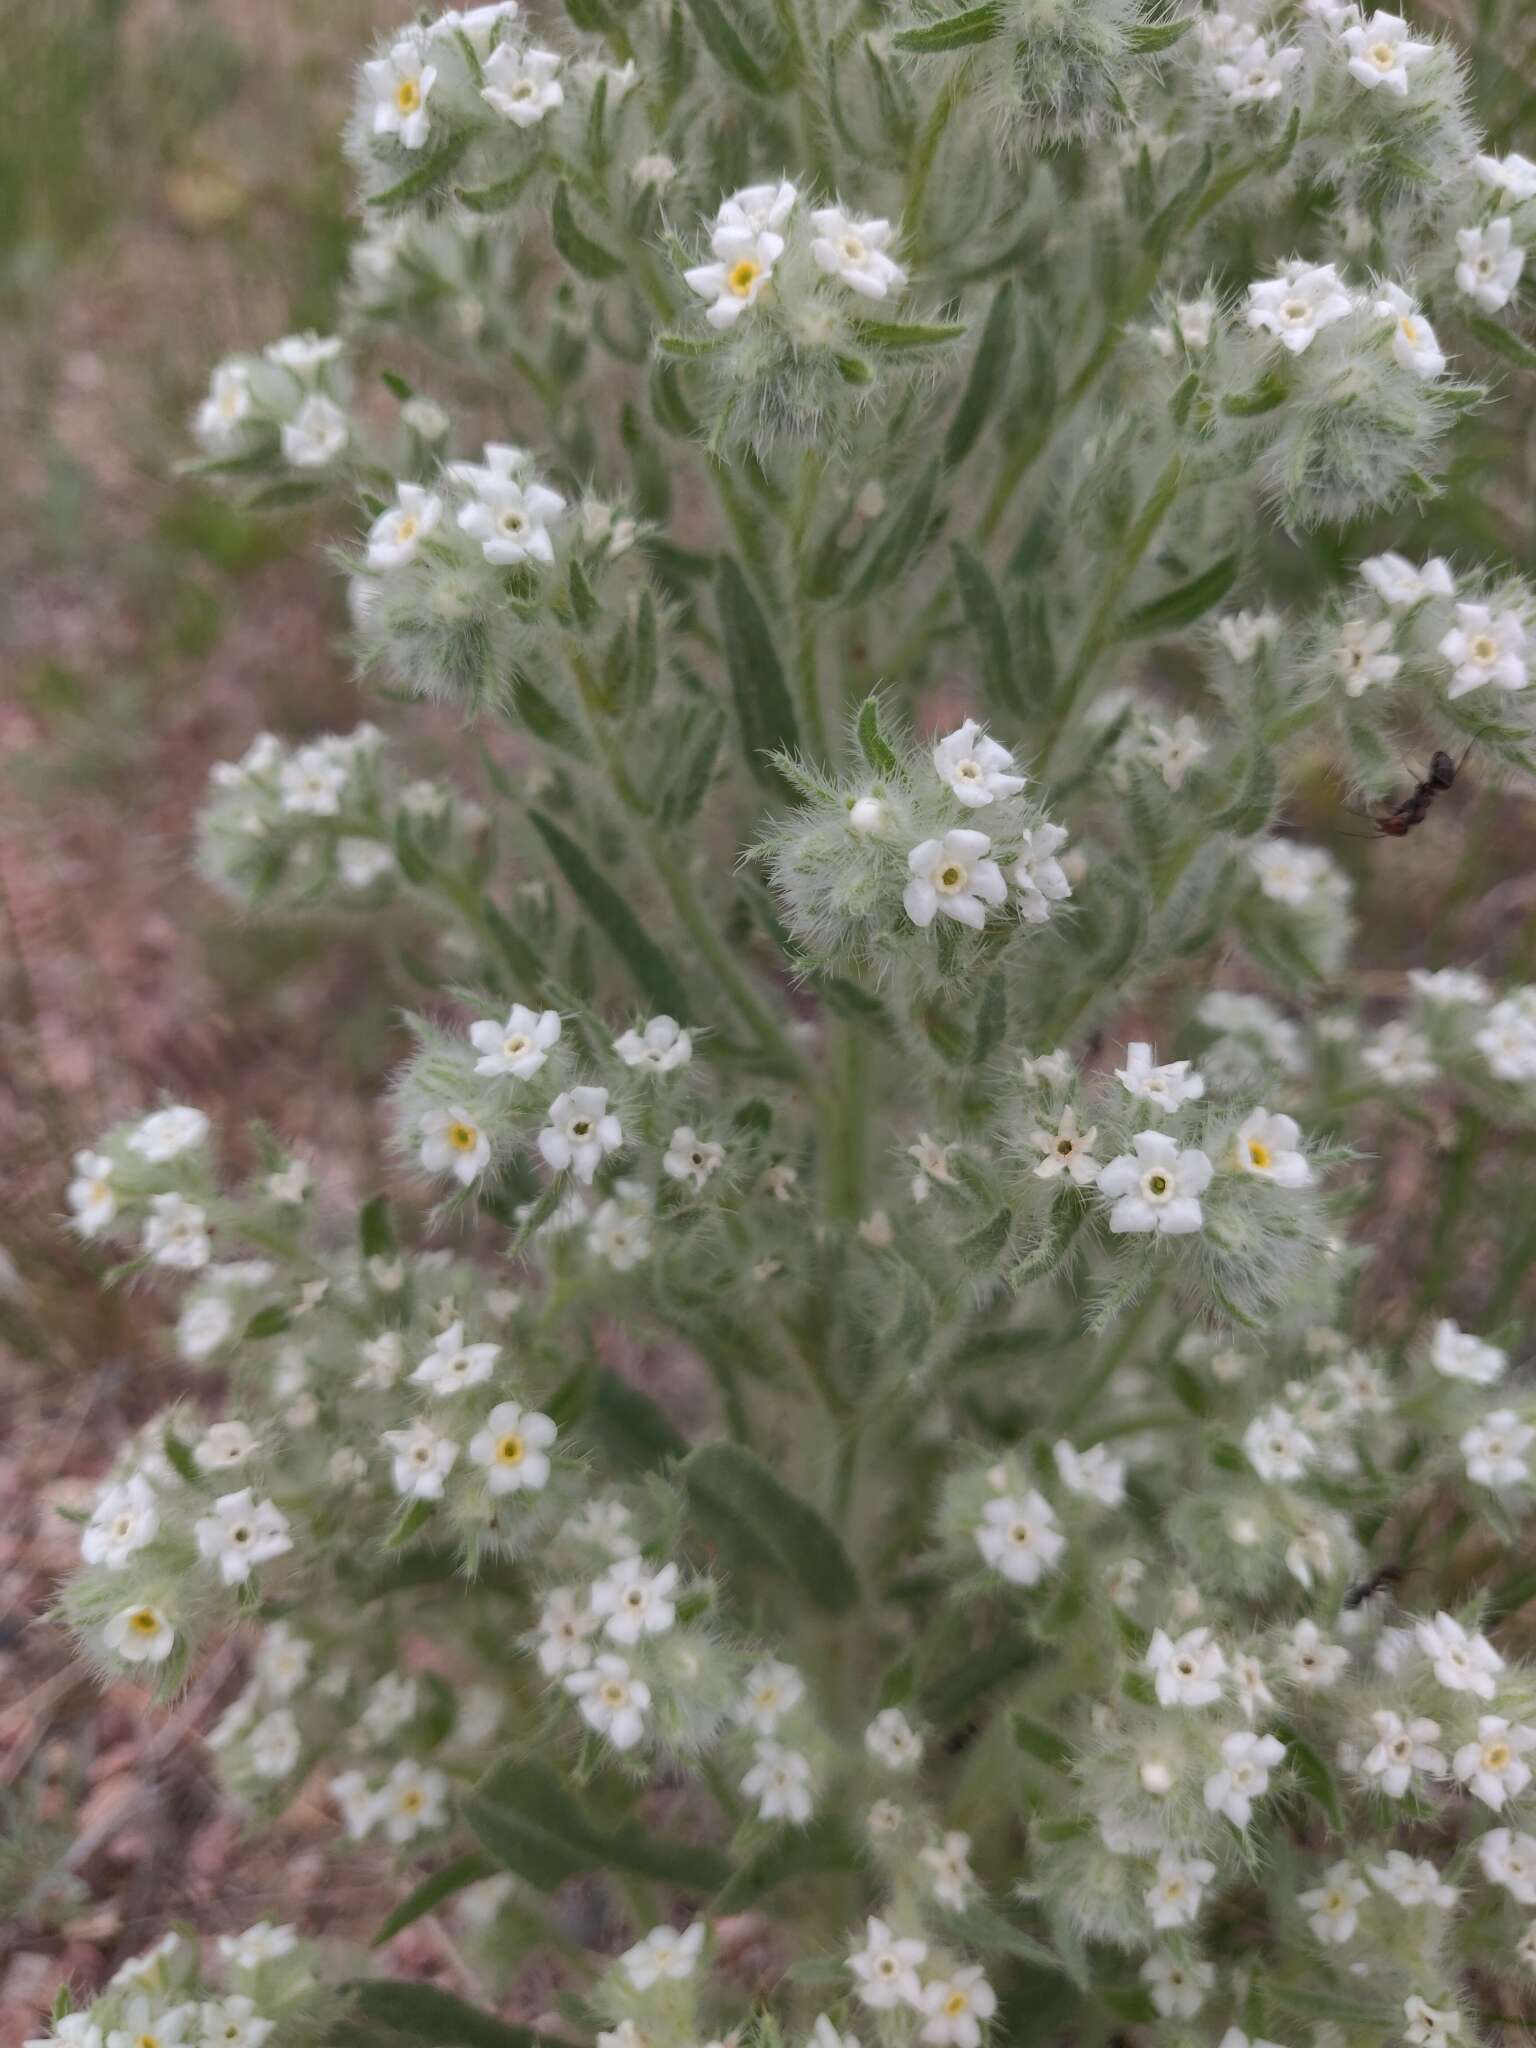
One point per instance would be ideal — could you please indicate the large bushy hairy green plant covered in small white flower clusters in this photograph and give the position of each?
(1037, 1572)
